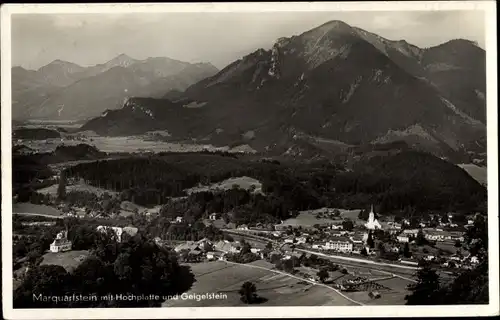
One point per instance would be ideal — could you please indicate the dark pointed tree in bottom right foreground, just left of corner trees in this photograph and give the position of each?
(425, 291)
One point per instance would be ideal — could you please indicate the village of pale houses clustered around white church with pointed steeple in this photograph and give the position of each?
(372, 240)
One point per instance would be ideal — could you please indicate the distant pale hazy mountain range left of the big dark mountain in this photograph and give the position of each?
(66, 91)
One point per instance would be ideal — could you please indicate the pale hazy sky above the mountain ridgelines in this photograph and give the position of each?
(219, 38)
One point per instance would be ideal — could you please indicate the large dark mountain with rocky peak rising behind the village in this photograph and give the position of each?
(330, 88)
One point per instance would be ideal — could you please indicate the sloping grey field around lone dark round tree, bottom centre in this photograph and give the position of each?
(278, 289)
